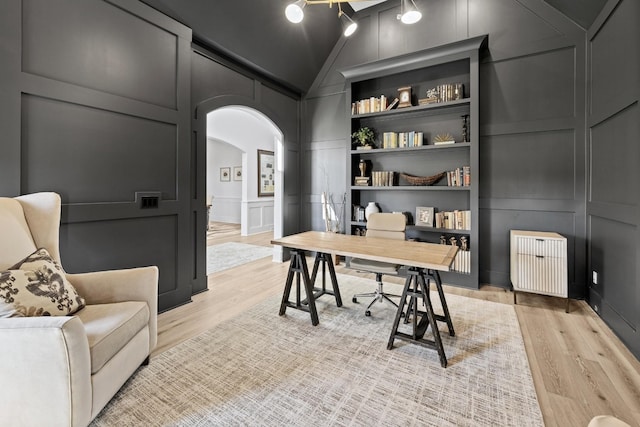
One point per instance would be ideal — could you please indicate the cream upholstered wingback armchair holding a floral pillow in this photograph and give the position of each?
(62, 370)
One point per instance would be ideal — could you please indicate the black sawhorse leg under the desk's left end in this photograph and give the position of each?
(297, 268)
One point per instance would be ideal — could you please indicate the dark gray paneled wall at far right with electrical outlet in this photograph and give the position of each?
(614, 156)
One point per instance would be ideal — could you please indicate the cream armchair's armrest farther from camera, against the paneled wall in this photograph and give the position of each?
(134, 284)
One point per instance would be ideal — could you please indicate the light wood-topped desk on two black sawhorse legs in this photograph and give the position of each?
(424, 260)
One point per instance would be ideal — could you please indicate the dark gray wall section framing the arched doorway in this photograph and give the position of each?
(216, 83)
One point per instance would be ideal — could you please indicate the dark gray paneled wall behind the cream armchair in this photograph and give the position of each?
(95, 103)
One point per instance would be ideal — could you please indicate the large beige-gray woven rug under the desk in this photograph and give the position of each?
(260, 369)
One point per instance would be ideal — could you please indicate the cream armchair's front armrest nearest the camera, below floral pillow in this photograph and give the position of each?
(47, 373)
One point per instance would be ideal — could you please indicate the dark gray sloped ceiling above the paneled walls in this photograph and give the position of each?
(256, 33)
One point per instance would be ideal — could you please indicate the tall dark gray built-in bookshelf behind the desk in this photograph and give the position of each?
(453, 63)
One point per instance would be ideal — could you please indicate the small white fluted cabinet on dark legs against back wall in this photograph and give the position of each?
(539, 263)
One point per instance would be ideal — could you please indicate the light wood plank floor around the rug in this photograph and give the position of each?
(580, 368)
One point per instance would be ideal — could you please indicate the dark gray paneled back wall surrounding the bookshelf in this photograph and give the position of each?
(532, 153)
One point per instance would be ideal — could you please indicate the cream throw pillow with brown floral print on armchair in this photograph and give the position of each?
(37, 286)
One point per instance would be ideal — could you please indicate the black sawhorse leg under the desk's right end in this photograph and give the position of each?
(416, 286)
